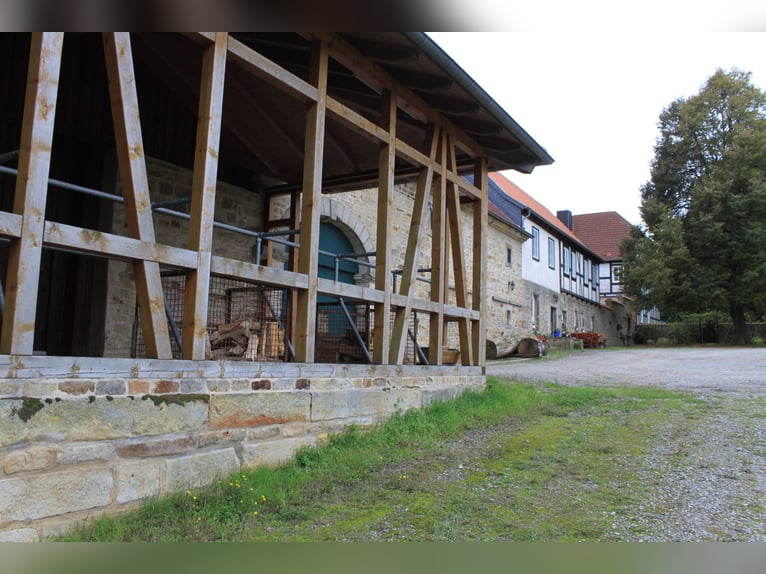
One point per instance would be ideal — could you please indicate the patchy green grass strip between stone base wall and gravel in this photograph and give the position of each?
(515, 462)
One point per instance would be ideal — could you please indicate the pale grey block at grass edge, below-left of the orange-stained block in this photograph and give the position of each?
(200, 469)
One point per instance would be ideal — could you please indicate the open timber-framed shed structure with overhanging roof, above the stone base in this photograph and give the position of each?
(373, 109)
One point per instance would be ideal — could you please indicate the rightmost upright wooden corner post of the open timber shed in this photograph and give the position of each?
(480, 224)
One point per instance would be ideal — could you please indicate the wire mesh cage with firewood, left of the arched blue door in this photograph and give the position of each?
(245, 321)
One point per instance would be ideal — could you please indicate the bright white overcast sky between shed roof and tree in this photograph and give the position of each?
(592, 98)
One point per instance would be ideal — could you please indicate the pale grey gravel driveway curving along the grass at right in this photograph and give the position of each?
(708, 473)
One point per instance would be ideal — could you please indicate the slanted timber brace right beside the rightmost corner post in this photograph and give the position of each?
(458, 260)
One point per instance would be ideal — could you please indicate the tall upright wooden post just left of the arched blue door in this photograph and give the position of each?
(308, 259)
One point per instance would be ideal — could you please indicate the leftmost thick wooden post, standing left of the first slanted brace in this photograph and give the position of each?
(25, 252)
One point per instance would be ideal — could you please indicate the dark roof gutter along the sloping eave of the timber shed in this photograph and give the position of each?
(453, 69)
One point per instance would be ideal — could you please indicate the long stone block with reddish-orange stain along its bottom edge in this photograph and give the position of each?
(260, 408)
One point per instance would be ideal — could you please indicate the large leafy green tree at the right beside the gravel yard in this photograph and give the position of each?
(703, 243)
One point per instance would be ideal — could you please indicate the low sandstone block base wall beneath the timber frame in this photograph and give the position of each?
(74, 446)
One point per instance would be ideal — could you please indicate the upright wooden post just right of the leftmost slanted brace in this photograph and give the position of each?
(204, 179)
